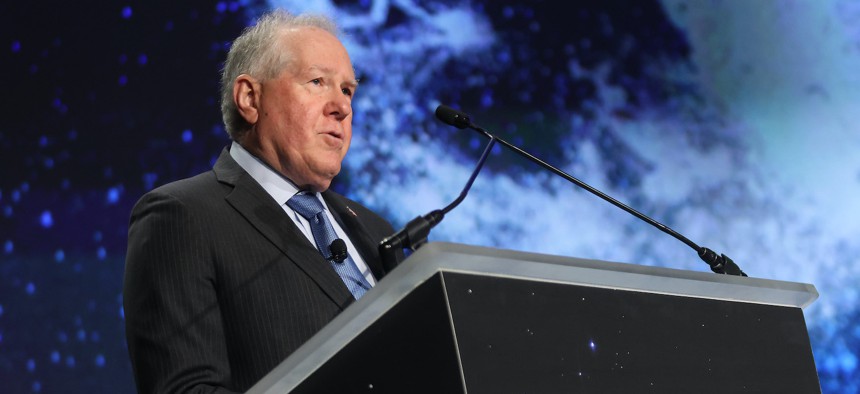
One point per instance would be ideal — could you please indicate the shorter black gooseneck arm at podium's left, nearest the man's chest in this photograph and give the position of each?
(415, 233)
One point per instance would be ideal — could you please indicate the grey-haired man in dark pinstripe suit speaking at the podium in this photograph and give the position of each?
(223, 279)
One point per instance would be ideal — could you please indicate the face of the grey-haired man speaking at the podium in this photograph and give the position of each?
(305, 114)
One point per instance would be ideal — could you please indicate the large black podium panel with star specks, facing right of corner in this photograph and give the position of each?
(518, 336)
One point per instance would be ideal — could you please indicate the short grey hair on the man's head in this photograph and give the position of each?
(257, 52)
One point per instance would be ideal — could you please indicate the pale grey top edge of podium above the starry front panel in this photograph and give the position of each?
(441, 256)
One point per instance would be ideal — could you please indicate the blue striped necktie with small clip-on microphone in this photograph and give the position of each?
(310, 207)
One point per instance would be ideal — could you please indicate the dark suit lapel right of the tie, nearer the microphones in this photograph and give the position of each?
(358, 233)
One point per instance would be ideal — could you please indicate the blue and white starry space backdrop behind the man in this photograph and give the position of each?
(732, 122)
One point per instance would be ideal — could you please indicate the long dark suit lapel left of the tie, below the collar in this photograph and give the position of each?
(262, 212)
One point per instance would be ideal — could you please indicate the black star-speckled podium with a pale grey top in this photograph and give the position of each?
(454, 318)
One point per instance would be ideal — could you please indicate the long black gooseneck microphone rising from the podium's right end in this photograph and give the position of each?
(720, 264)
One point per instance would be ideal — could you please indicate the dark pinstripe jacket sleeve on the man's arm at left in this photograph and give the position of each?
(173, 321)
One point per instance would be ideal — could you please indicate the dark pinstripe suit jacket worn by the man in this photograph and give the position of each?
(220, 285)
